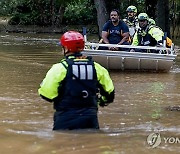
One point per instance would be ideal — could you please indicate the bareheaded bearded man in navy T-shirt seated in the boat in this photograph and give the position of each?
(115, 31)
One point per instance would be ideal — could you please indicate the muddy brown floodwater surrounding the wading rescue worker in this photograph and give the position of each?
(146, 104)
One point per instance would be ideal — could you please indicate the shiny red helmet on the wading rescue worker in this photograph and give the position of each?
(73, 41)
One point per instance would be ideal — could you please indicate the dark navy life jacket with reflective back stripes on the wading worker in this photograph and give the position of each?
(79, 88)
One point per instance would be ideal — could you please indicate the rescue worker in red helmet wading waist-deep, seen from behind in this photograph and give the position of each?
(73, 86)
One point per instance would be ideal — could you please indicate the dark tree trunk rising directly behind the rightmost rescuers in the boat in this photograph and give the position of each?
(163, 16)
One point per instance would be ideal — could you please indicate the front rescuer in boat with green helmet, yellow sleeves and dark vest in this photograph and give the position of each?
(147, 34)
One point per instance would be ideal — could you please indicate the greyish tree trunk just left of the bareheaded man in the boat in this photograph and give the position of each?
(102, 15)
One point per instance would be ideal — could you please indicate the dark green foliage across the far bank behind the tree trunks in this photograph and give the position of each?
(39, 12)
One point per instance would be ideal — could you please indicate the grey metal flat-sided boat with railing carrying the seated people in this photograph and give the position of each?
(124, 60)
